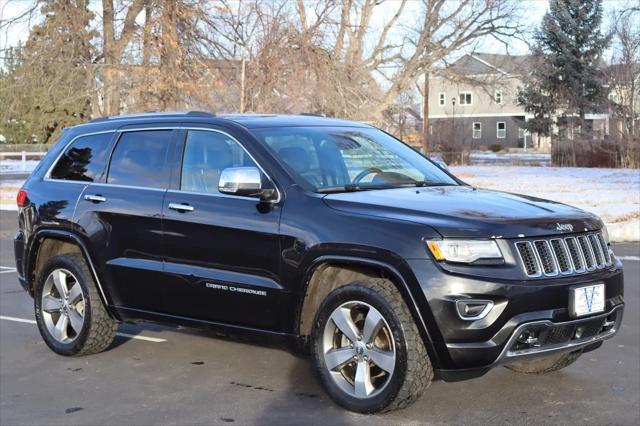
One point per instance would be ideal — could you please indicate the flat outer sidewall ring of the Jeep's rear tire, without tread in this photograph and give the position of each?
(63, 262)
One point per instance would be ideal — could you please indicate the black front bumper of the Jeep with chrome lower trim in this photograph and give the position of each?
(518, 306)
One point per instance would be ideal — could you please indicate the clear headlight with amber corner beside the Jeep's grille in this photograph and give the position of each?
(466, 251)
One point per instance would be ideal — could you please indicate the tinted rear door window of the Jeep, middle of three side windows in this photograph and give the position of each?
(140, 159)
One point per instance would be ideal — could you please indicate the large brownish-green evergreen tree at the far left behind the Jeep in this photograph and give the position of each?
(49, 84)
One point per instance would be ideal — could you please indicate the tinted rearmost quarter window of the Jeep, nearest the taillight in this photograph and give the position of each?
(84, 159)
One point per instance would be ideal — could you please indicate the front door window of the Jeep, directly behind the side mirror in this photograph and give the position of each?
(206, 154)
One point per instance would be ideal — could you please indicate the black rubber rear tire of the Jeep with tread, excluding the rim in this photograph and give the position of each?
(98, 329)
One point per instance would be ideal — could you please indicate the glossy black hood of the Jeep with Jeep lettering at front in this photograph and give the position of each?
(465, 211)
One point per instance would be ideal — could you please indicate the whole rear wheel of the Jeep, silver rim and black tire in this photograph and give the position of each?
(70, 315)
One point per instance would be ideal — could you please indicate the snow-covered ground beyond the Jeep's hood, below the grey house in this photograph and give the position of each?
(612, 194)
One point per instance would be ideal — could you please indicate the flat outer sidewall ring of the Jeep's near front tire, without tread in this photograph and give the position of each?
(362, 293)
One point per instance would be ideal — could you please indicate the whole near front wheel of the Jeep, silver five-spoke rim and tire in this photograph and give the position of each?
(367, 351)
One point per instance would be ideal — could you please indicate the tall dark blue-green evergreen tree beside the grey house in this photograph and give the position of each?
(567, 79)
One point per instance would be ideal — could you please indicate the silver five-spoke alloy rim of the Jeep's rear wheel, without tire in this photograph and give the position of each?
(63, 306)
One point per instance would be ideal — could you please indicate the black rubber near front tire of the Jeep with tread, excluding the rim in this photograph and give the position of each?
(413, 370)
